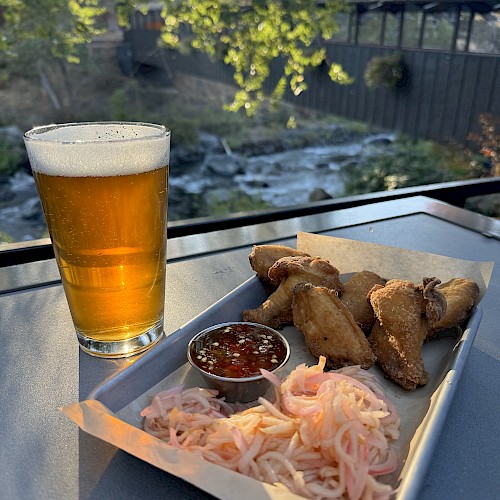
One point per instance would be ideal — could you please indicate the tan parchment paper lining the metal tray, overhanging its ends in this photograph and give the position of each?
(123, 428)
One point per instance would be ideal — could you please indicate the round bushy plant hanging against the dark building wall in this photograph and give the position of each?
(386, 71)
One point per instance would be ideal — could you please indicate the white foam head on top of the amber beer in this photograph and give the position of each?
(97, 150)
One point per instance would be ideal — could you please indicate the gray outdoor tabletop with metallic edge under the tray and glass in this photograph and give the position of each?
(43, 455)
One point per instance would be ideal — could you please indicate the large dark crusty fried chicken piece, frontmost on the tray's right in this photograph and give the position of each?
(398, 334)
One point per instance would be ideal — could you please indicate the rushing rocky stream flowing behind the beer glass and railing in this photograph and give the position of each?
(280, 179)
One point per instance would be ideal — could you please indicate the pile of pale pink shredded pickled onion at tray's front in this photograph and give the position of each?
(328, 435)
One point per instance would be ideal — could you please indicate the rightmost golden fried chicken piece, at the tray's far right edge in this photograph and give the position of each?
(461, 295)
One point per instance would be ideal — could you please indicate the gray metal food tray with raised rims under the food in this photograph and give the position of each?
(422, 411)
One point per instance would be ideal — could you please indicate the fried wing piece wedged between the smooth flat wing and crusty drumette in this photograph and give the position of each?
(355, 294)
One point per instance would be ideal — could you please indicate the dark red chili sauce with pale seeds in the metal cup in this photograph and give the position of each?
(238, 350)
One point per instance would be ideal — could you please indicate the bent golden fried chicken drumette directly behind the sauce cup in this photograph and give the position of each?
(289, 272)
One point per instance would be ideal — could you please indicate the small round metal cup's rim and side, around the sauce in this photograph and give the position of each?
(244, 389)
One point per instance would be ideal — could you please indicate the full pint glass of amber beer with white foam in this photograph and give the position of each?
(103, 188)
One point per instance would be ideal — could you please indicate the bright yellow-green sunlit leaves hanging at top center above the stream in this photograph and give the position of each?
(254, 37)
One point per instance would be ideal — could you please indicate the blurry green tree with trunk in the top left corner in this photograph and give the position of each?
(39, 36)
